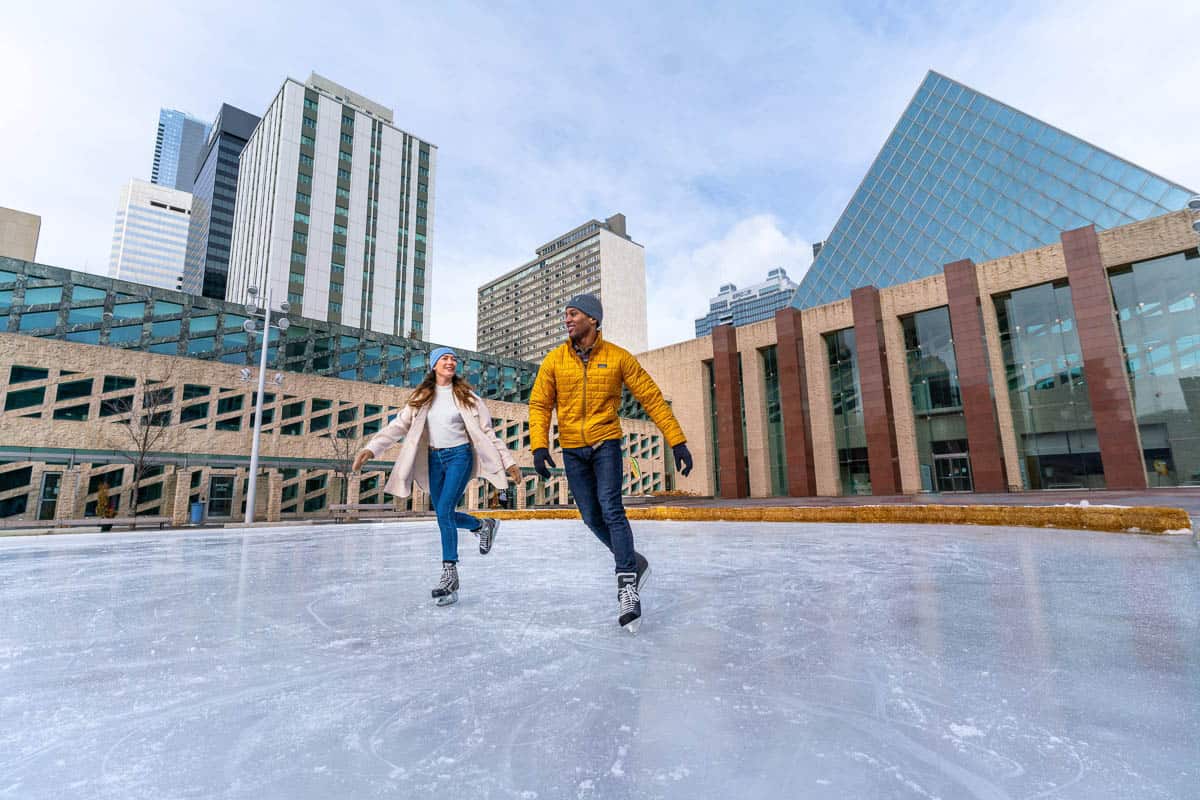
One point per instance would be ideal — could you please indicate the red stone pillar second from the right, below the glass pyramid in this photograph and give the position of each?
(975, 378)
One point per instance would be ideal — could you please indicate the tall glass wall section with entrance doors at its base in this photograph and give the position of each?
(937, 402)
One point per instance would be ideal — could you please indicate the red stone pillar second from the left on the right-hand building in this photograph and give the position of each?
(794, 401)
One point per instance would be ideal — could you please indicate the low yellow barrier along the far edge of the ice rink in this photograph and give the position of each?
(1132, 520)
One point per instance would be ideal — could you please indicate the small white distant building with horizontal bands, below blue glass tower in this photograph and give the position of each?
(151, 236)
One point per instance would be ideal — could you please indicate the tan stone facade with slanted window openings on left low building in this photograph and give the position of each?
(70, 411)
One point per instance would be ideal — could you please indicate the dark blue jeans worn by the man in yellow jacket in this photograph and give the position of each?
(595, 476)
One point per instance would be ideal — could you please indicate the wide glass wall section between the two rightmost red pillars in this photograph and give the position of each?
(1048, 389)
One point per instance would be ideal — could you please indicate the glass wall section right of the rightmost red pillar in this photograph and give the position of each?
(1160, 323)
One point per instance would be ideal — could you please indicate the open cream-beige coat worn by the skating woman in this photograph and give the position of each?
(413, 464)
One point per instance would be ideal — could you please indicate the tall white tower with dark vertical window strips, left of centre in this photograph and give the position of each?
(335, 210)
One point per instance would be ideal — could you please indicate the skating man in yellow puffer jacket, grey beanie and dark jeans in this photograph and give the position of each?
(583, 381)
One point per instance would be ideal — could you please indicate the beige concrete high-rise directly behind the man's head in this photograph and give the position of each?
(521, 312)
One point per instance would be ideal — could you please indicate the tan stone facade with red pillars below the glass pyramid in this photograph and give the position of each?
(970, 294)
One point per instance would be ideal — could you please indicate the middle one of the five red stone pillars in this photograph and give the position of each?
(873, 376)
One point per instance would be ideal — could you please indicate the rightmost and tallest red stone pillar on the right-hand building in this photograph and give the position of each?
(1105, 369)
